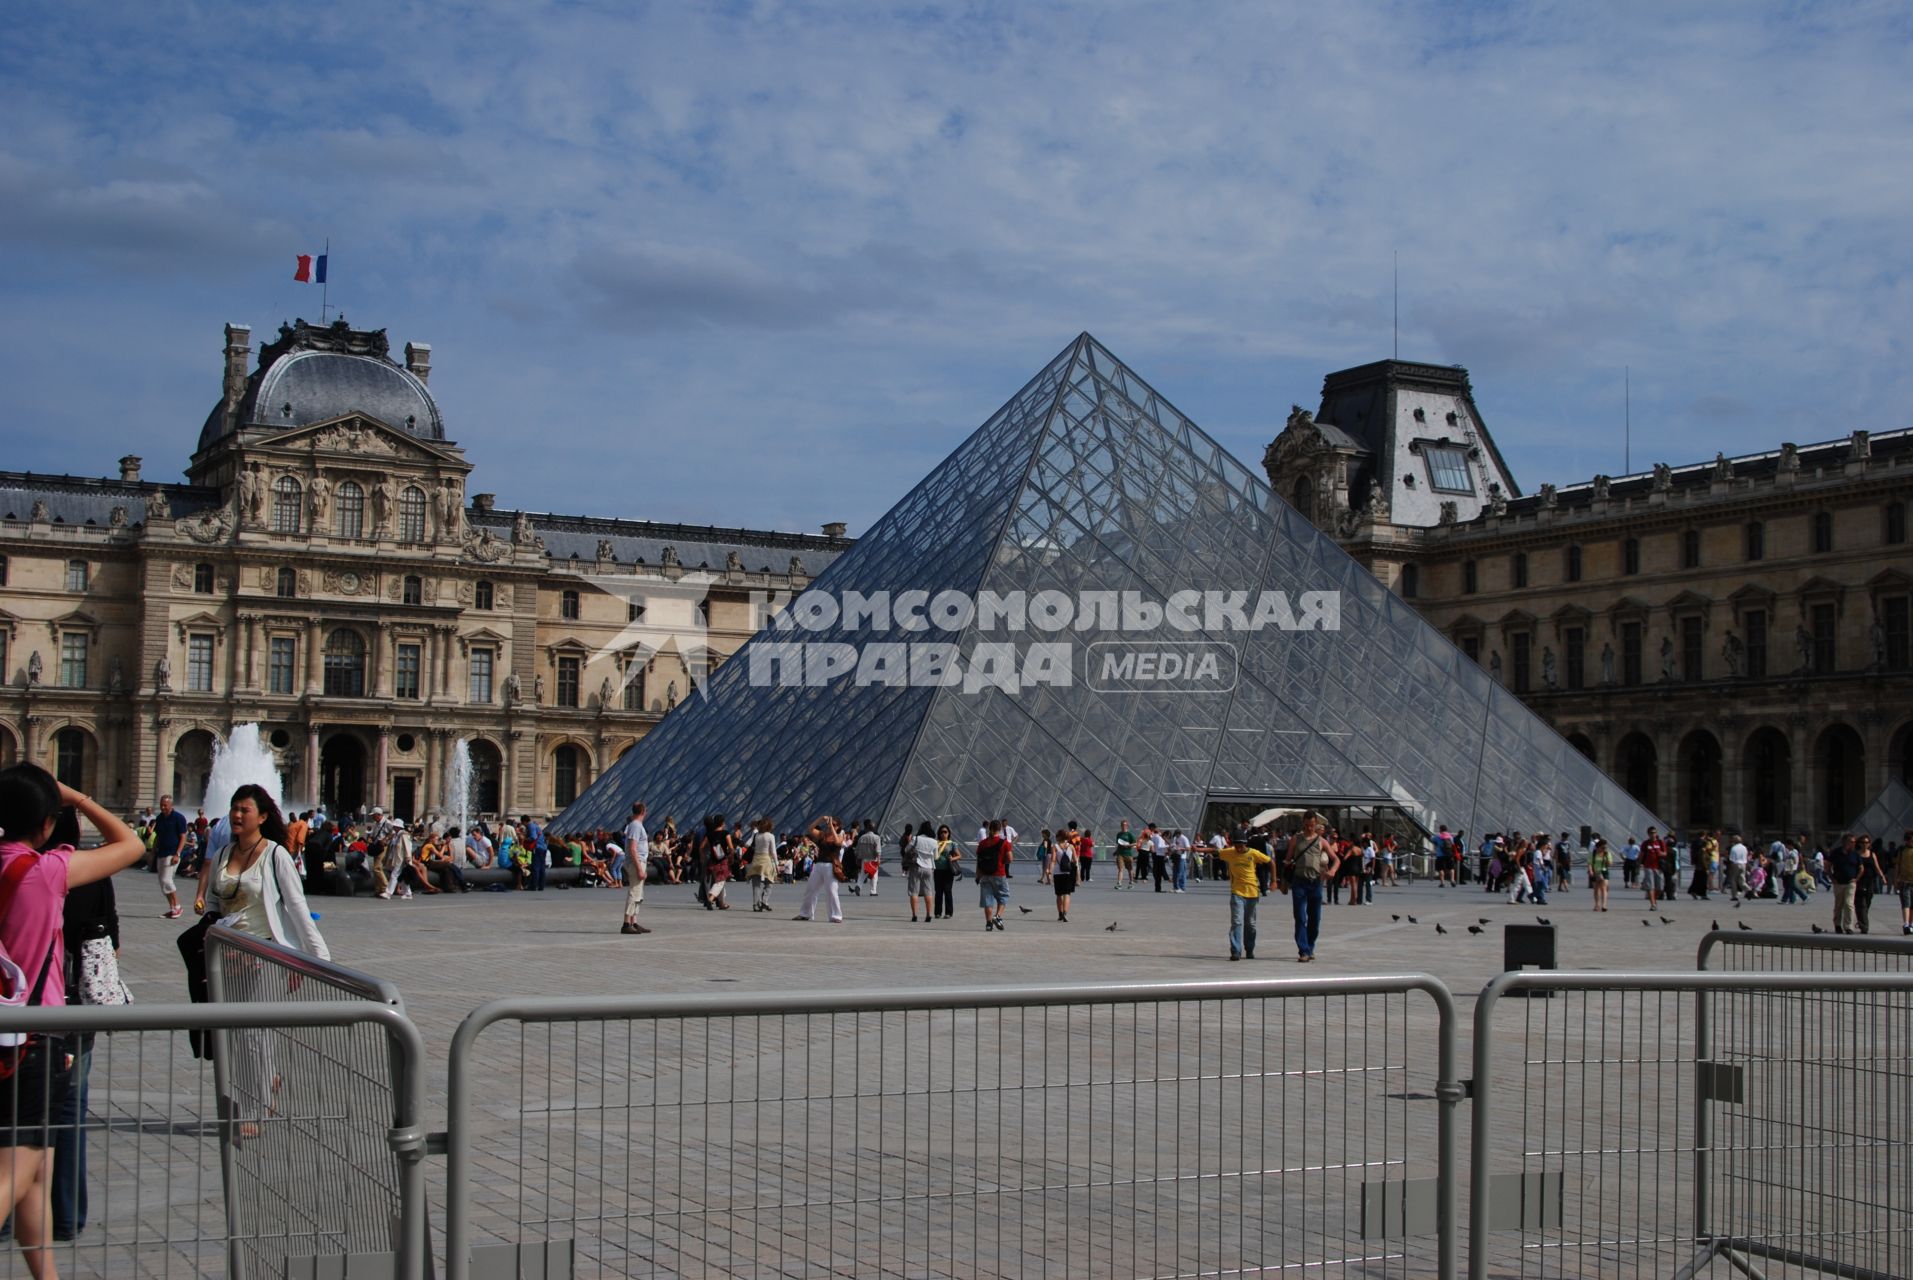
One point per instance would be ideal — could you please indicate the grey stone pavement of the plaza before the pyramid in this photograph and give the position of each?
(1013, 1143)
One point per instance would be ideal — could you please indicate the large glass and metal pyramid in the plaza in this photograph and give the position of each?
(1089, 483)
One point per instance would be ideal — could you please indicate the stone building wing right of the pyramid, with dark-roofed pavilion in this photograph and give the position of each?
(1730, 640)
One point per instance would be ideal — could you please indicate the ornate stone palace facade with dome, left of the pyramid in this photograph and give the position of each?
(324, 575)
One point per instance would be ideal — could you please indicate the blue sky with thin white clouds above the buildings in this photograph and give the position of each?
(766, 263)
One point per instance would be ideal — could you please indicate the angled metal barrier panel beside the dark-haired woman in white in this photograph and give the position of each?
(328, 1160)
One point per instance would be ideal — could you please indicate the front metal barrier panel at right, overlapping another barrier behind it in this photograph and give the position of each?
(1621, 1118)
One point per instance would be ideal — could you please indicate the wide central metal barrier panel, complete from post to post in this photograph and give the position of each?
(1032, 1132)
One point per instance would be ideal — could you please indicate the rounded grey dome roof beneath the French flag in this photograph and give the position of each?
(303, 384)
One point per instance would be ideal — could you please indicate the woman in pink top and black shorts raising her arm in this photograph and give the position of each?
(33, 893)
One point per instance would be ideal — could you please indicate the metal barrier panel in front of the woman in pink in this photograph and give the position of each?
(139, 1141)
